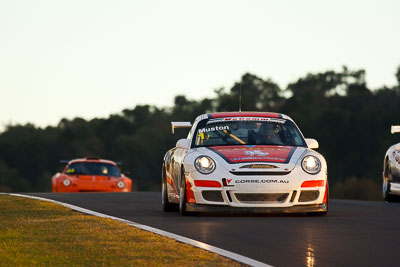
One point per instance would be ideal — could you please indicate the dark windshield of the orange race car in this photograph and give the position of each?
(92, 168)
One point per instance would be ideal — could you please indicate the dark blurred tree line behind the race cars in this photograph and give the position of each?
(350, 121)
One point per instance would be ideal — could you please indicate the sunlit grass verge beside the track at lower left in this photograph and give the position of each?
(39, 233)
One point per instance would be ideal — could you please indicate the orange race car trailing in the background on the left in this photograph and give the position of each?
(90, 175)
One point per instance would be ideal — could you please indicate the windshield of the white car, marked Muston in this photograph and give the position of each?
(247, 131)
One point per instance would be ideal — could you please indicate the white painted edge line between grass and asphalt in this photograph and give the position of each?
(195, 243)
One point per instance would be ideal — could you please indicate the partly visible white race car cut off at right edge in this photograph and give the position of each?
(391, 169)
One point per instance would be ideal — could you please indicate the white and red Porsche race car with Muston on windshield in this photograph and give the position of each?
(246, 162)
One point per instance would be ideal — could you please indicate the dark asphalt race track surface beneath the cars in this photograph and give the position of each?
(354, 233)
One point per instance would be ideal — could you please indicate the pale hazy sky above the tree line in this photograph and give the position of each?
(93, 58)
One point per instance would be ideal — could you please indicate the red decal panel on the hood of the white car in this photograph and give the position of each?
(240, 154)
